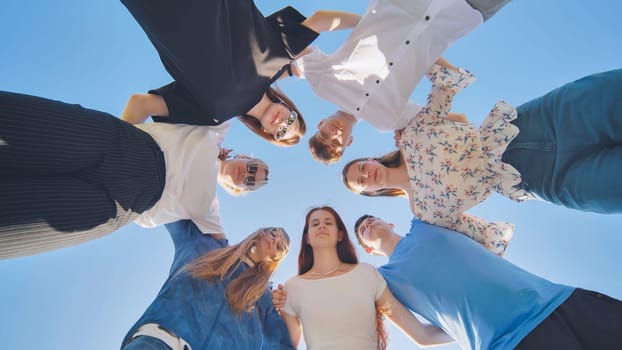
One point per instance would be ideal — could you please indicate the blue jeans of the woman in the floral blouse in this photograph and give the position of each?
(569, 149)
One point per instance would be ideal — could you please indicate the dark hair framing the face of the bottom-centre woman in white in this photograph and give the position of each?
(345, 248)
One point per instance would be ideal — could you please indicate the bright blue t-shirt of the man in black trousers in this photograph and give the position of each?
(478, 298)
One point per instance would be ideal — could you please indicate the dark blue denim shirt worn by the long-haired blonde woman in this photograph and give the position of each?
(197, 311)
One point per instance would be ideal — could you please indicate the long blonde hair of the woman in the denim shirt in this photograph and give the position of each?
(242, 292)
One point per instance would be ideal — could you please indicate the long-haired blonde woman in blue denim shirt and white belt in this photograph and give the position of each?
(216, 295)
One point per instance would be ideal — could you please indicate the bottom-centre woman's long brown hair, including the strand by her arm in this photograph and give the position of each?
(347, 254)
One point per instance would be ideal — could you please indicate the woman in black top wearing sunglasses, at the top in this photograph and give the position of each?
(223, 56)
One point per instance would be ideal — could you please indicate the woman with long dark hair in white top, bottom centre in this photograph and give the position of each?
(339, 302)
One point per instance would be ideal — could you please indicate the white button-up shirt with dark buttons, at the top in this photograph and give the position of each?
(373, 74)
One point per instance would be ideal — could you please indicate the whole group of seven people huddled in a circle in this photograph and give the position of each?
(73, 174)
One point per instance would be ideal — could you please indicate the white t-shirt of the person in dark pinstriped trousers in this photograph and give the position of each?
(192, 166)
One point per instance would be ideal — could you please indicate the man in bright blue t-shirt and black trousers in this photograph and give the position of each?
(482, 300)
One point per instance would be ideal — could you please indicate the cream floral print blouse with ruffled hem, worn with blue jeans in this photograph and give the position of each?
(453, 166)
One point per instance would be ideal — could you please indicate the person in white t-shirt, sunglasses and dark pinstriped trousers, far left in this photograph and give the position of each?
(71, 174)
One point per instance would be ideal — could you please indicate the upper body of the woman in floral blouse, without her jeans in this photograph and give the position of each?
(444, 175)
